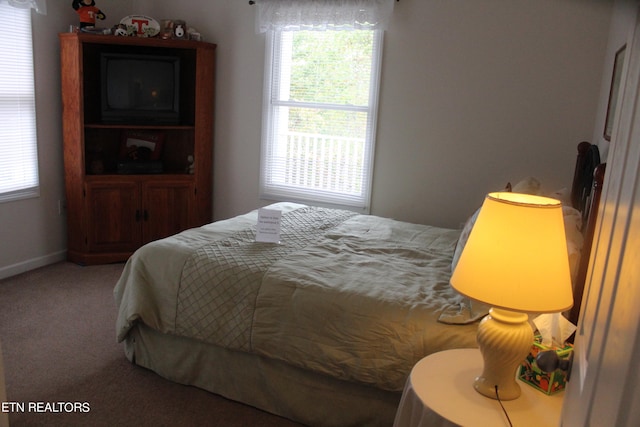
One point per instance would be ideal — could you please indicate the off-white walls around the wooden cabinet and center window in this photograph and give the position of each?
(473, 94)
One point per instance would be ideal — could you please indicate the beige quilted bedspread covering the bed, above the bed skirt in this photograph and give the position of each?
(356, 297)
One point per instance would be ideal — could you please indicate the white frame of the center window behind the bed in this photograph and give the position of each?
(279, 192)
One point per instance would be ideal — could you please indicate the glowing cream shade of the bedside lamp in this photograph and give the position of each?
(516, 255)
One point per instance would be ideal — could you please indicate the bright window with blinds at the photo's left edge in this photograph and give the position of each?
(18, 146)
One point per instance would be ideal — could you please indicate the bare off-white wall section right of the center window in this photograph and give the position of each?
(478, 93)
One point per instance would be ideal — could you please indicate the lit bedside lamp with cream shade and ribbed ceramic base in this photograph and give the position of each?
(516, 261)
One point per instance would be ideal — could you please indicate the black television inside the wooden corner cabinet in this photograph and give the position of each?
(140, 88)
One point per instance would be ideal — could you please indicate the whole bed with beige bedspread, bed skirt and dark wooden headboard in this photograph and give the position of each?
(322, 328)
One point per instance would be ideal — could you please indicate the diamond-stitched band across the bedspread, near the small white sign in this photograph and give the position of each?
(225, 276)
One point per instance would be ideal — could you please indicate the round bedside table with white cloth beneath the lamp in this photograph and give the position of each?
(439, 392)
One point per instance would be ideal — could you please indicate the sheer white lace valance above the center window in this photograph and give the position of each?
(292, 15)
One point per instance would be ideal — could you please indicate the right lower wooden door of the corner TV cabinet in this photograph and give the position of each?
(167, 208)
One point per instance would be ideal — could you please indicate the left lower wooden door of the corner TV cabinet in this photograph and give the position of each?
(114, 216)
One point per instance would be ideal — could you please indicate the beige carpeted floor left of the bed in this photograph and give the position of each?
(57, 329)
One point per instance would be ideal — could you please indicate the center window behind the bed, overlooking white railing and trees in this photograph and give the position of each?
(321, 96)
